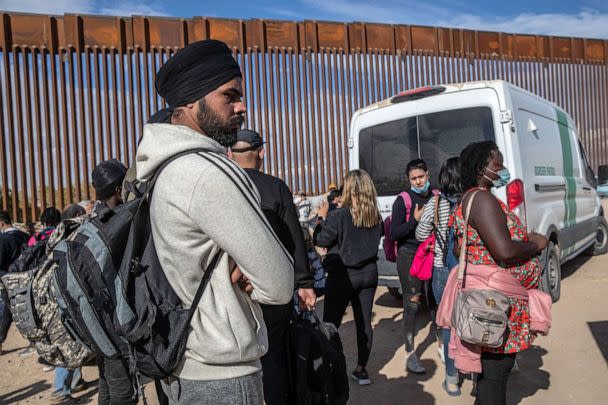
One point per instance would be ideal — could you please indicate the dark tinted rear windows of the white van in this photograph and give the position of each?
(385, 149)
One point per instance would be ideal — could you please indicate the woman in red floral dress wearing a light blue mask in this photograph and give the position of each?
(497, 236)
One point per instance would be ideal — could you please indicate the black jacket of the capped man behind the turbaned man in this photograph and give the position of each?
(278, 206)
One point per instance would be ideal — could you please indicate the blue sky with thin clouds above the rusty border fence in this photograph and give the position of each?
(583, 18)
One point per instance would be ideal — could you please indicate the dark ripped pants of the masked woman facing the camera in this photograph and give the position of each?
(411, 287)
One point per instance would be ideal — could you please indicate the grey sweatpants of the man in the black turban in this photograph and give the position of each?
(245, 390)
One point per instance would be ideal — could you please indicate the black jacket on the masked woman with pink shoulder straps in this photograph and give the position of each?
(405, 232)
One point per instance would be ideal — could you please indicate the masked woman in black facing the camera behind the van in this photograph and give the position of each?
(403, 231)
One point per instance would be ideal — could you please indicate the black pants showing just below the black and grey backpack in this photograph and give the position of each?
(115, 386)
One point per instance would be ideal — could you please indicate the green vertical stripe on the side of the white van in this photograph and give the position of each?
(568, 164)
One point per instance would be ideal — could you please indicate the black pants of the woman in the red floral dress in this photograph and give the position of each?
(492, 382)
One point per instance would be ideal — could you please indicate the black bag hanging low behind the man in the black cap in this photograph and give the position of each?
(318, 363)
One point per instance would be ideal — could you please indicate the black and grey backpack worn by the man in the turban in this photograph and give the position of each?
(116, 293)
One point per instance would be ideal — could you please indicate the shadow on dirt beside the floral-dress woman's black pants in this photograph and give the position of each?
(530, 378)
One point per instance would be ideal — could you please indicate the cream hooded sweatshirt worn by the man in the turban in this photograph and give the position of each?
(204, 203)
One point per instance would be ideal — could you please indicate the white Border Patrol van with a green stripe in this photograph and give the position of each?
(552, 188)
